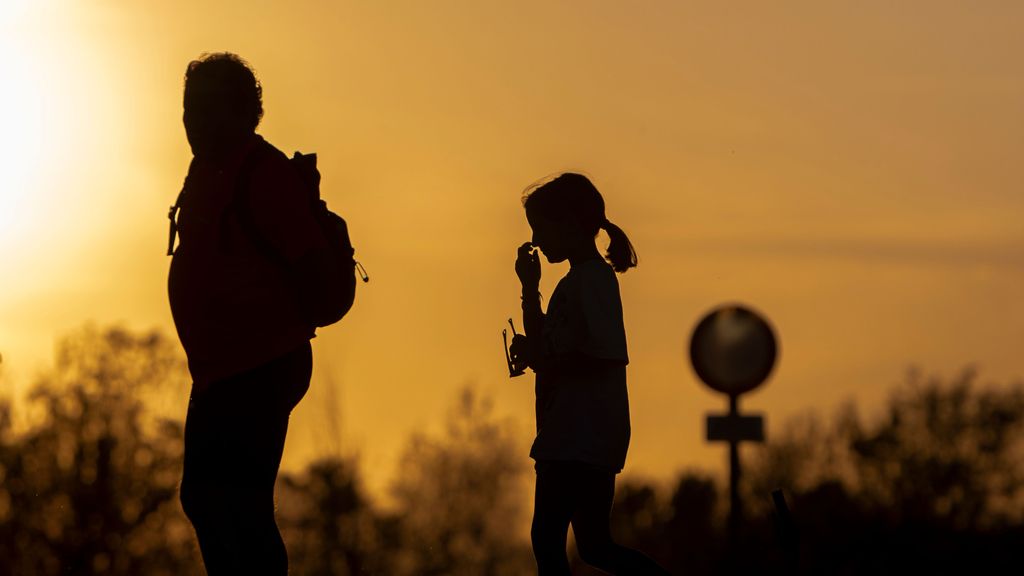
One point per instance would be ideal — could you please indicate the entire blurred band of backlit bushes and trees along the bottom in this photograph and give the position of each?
(91, 469)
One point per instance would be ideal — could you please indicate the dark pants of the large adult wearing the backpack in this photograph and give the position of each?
(235, 436)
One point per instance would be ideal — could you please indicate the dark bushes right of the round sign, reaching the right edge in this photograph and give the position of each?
(929, 485)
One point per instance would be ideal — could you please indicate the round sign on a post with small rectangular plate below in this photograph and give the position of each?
(734, 351)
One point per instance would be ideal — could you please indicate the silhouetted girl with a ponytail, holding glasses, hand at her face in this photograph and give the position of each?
(578, 351)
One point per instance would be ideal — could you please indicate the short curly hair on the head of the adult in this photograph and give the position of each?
(233, 73)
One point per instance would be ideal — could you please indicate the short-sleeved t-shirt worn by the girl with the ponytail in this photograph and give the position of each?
(583, 412)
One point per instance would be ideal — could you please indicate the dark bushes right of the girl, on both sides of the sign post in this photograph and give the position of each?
(932, 484)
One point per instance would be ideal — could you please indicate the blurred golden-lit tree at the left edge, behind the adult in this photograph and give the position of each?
(92, 486)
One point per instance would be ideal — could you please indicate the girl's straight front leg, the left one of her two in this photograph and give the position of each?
(553, 508)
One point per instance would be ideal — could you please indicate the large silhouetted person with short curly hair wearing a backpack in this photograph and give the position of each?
(247, 238)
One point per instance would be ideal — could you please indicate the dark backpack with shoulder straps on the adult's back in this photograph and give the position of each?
(327, 296)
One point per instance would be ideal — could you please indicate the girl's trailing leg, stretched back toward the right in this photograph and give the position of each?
(596, 490)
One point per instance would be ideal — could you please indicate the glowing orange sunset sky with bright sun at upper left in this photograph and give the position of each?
(852, 170)
